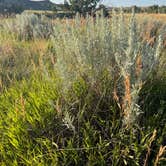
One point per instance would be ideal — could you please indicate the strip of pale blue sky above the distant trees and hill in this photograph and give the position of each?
(127, 2)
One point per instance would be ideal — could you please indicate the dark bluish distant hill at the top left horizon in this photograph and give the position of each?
(10, 5)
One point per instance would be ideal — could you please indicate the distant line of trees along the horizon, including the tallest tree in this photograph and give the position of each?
(89, 6)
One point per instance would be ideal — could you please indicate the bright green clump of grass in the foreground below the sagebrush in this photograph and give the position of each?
(42, 125)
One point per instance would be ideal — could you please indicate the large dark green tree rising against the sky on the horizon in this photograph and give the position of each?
(83, 6)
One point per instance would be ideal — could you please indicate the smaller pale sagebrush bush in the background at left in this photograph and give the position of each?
(29, 26)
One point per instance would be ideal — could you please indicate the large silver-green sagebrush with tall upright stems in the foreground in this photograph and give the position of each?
(95, 47)
